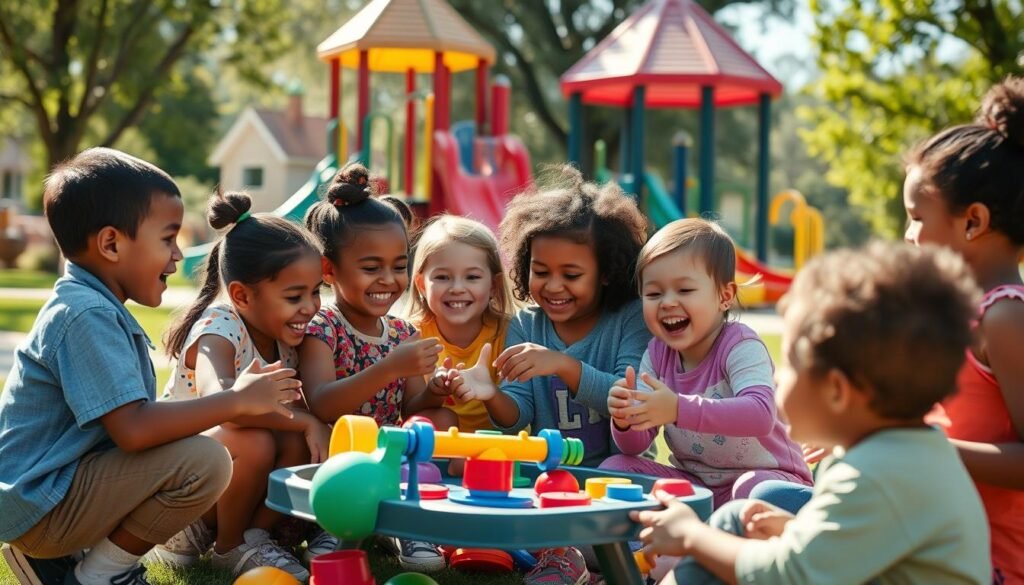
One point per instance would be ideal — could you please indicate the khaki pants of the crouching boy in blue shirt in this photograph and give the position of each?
(155, 494)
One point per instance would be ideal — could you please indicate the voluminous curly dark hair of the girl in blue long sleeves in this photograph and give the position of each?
(569, 207)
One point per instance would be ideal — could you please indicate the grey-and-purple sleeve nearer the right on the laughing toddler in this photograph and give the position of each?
(751, 412)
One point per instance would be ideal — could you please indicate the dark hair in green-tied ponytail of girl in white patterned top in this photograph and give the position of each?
(255, 249)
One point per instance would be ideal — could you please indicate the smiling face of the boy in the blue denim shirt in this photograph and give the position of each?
(147, 261)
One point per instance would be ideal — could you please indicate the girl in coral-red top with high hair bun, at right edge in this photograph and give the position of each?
(965, 190)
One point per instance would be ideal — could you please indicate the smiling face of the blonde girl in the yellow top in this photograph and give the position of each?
(458, 286)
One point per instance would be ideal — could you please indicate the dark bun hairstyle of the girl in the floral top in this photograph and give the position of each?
(349, 205)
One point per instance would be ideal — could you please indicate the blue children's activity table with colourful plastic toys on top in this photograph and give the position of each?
(359, 491)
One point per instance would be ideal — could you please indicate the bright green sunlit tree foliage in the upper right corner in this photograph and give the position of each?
(893, 73)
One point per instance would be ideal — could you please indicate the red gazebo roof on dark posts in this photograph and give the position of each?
(672, 48)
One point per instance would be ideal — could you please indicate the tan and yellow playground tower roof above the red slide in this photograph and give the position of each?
(400, 35)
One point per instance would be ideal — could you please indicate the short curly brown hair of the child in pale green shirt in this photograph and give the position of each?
(893, 318)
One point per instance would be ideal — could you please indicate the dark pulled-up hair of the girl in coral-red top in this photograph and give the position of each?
(983, 162)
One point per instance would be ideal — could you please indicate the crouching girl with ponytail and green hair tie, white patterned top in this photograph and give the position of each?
(270, 271)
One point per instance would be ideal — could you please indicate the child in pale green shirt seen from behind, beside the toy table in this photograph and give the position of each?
(872, 340)
